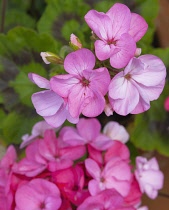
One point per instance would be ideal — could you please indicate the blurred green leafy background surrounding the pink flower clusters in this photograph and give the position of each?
(28, 27)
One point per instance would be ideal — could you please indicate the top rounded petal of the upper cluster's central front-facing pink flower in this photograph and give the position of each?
(78, 61)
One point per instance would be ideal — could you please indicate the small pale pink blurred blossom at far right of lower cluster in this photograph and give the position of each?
(149, 177)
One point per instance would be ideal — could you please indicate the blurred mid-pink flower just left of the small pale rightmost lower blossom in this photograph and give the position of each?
(116, 174)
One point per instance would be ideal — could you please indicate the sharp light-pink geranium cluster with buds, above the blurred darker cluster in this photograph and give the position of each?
(126, 85)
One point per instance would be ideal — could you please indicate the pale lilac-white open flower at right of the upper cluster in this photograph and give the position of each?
(142, 81)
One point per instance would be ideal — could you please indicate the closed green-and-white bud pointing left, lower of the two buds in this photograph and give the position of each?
(49, 57)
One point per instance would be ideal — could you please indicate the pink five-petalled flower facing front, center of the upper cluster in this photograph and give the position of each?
(83, 87)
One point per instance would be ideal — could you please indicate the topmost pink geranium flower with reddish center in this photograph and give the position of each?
(118, 31)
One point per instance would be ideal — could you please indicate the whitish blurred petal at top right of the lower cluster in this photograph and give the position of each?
(115, 131)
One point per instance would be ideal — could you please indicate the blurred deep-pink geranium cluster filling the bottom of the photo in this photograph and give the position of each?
(80, 168)
